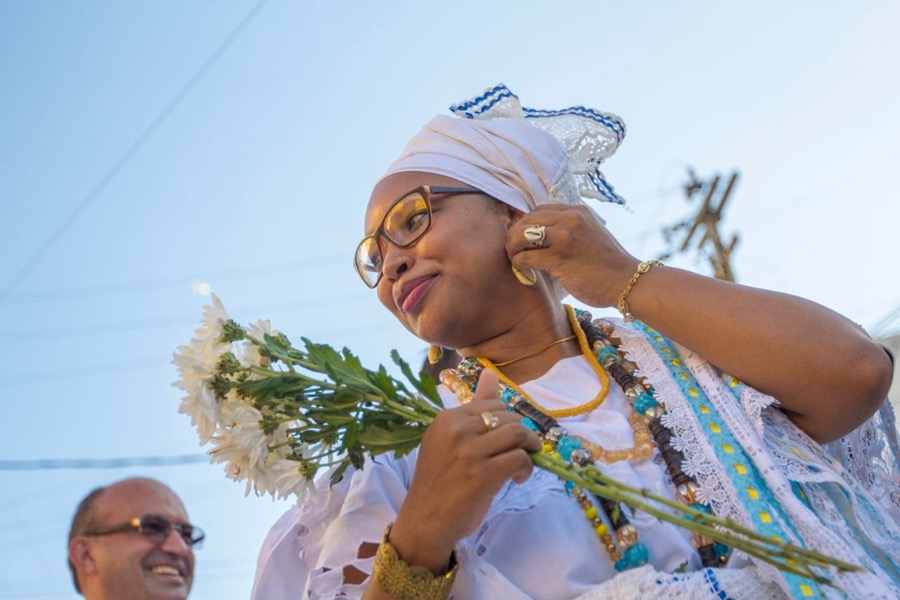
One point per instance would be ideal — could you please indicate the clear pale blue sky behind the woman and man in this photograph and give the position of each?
(137, 163)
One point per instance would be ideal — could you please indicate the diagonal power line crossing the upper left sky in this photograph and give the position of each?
(132, 150)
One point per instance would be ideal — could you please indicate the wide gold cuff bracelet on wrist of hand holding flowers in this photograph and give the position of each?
(406, 581)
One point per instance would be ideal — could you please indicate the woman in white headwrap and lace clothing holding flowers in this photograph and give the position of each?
(474, 236)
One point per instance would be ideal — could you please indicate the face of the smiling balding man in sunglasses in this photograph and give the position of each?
(128, 564)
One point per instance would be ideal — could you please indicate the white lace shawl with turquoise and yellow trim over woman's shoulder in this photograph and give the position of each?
(768, 474)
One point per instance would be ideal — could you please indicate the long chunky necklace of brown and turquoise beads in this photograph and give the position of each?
(625, 550)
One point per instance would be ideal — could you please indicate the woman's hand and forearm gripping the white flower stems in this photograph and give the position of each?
(466, 456)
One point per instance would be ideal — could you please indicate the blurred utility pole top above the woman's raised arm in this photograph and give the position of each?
(704, 225)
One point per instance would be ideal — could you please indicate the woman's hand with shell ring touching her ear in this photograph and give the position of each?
(576, 248)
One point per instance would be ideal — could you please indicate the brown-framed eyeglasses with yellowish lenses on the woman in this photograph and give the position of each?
(403, 225)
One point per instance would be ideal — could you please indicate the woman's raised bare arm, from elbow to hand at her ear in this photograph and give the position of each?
(827, 374)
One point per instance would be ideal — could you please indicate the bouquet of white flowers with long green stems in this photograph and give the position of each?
(276, 415)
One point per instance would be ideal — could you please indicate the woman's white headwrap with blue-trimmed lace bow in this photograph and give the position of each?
(521, 156)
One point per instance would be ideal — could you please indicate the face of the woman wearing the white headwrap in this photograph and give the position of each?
(446, 287)
